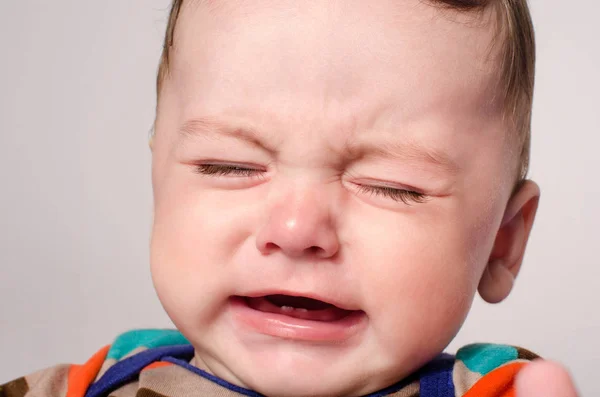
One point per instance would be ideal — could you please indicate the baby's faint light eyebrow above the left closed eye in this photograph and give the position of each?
(210, 126)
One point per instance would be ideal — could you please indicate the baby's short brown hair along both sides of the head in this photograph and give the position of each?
(517, 63)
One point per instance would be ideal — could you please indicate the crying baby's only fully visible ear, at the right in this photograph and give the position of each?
(507, 255)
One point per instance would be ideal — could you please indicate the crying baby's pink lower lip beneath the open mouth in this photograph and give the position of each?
(286, 327)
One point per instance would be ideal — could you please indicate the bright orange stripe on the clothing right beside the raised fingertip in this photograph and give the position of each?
(498, 383)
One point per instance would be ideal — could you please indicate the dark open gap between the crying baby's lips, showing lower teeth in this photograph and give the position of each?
(297, 307)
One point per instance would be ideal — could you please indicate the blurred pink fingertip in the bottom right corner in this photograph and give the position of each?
(544, 379)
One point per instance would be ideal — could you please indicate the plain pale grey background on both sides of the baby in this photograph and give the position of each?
(76, 103)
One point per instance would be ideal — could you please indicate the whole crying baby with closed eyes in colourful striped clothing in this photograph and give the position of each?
(333, 182)
